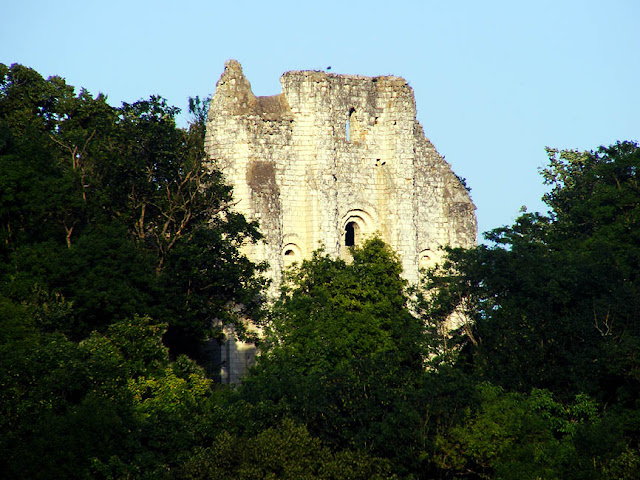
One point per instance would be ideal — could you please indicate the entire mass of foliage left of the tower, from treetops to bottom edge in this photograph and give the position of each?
(109, 216)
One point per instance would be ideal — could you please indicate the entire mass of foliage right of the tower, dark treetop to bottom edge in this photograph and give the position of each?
(550, 314)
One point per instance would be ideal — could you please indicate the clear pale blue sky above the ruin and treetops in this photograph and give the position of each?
(495, 81)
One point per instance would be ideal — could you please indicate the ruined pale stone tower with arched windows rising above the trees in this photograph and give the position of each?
(332, 159)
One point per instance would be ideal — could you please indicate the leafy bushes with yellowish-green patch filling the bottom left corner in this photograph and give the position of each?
(112, 401)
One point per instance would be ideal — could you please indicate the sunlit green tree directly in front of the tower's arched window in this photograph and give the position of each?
(345, 356)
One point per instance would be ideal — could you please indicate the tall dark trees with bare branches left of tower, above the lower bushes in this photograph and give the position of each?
(117, 211)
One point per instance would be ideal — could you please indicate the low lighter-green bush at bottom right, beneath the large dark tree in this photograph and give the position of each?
(516, 436)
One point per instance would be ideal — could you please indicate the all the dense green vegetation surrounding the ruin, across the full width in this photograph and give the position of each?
(118, 249)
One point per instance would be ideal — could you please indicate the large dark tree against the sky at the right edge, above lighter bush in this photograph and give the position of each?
(554, 302)
